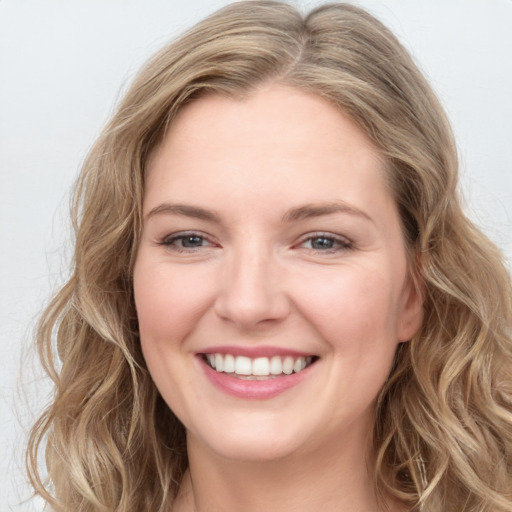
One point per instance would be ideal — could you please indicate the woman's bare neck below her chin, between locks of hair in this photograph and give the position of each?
(332, 480)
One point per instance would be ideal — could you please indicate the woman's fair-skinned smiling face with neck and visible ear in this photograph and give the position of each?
(270, 233)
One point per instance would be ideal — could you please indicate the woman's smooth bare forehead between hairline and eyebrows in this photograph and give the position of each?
(277, 141)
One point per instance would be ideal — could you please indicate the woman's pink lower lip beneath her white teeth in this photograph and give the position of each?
(253, 389)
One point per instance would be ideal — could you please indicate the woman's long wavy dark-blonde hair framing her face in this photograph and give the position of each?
(443, 432)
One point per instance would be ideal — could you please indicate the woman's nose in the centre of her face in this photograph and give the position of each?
(252, 290)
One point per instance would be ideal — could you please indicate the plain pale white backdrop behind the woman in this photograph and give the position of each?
(64, 64)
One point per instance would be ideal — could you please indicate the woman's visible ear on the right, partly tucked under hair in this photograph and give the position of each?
(411, 315)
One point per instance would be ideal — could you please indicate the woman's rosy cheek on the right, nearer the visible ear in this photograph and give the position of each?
(357, 315)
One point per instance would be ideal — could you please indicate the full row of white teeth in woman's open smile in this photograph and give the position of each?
(260, 367)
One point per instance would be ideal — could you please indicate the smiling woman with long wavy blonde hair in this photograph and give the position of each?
(277, 302)
